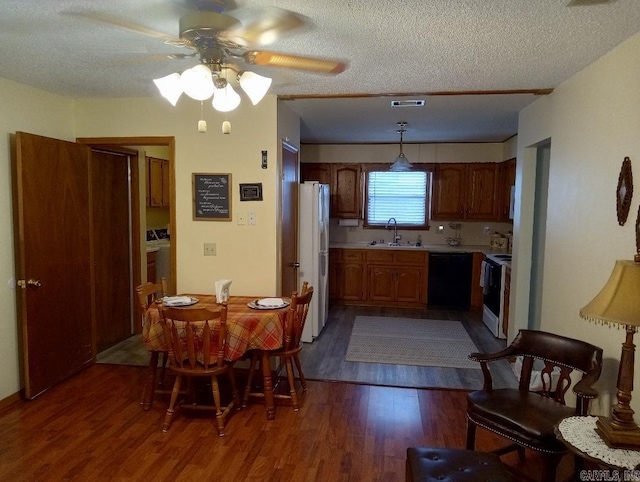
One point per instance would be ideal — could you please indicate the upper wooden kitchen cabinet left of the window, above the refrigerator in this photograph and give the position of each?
(344, 186)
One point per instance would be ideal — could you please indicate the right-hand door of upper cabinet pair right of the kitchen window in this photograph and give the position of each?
(482, 182)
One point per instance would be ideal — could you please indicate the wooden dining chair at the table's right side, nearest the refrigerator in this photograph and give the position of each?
(289, 352)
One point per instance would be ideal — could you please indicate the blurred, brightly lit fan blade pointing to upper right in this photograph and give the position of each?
(269, 26)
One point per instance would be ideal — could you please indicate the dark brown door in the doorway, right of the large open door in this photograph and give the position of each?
(112, 247)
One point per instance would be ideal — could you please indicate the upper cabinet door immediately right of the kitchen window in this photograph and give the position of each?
(448, 192)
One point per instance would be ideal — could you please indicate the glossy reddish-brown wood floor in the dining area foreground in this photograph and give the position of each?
(92, 427)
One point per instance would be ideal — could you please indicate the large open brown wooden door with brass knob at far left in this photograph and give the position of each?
(51, 181)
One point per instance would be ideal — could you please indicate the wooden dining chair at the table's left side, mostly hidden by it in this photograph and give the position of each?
(147, 294)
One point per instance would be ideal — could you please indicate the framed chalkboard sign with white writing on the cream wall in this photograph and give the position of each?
(212, 197)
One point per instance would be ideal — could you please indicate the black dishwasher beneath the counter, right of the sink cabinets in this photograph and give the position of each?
(450, 280)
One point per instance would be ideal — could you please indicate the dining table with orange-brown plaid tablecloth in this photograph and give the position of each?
(249, 327)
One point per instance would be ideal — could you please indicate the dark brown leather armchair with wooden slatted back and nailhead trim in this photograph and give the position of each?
(528, 418)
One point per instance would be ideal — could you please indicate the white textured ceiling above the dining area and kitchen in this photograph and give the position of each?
(413, 47)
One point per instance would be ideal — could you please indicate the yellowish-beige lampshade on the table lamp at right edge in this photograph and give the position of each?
(619, 300)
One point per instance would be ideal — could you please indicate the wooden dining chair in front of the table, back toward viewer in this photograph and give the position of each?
(196, 350)
